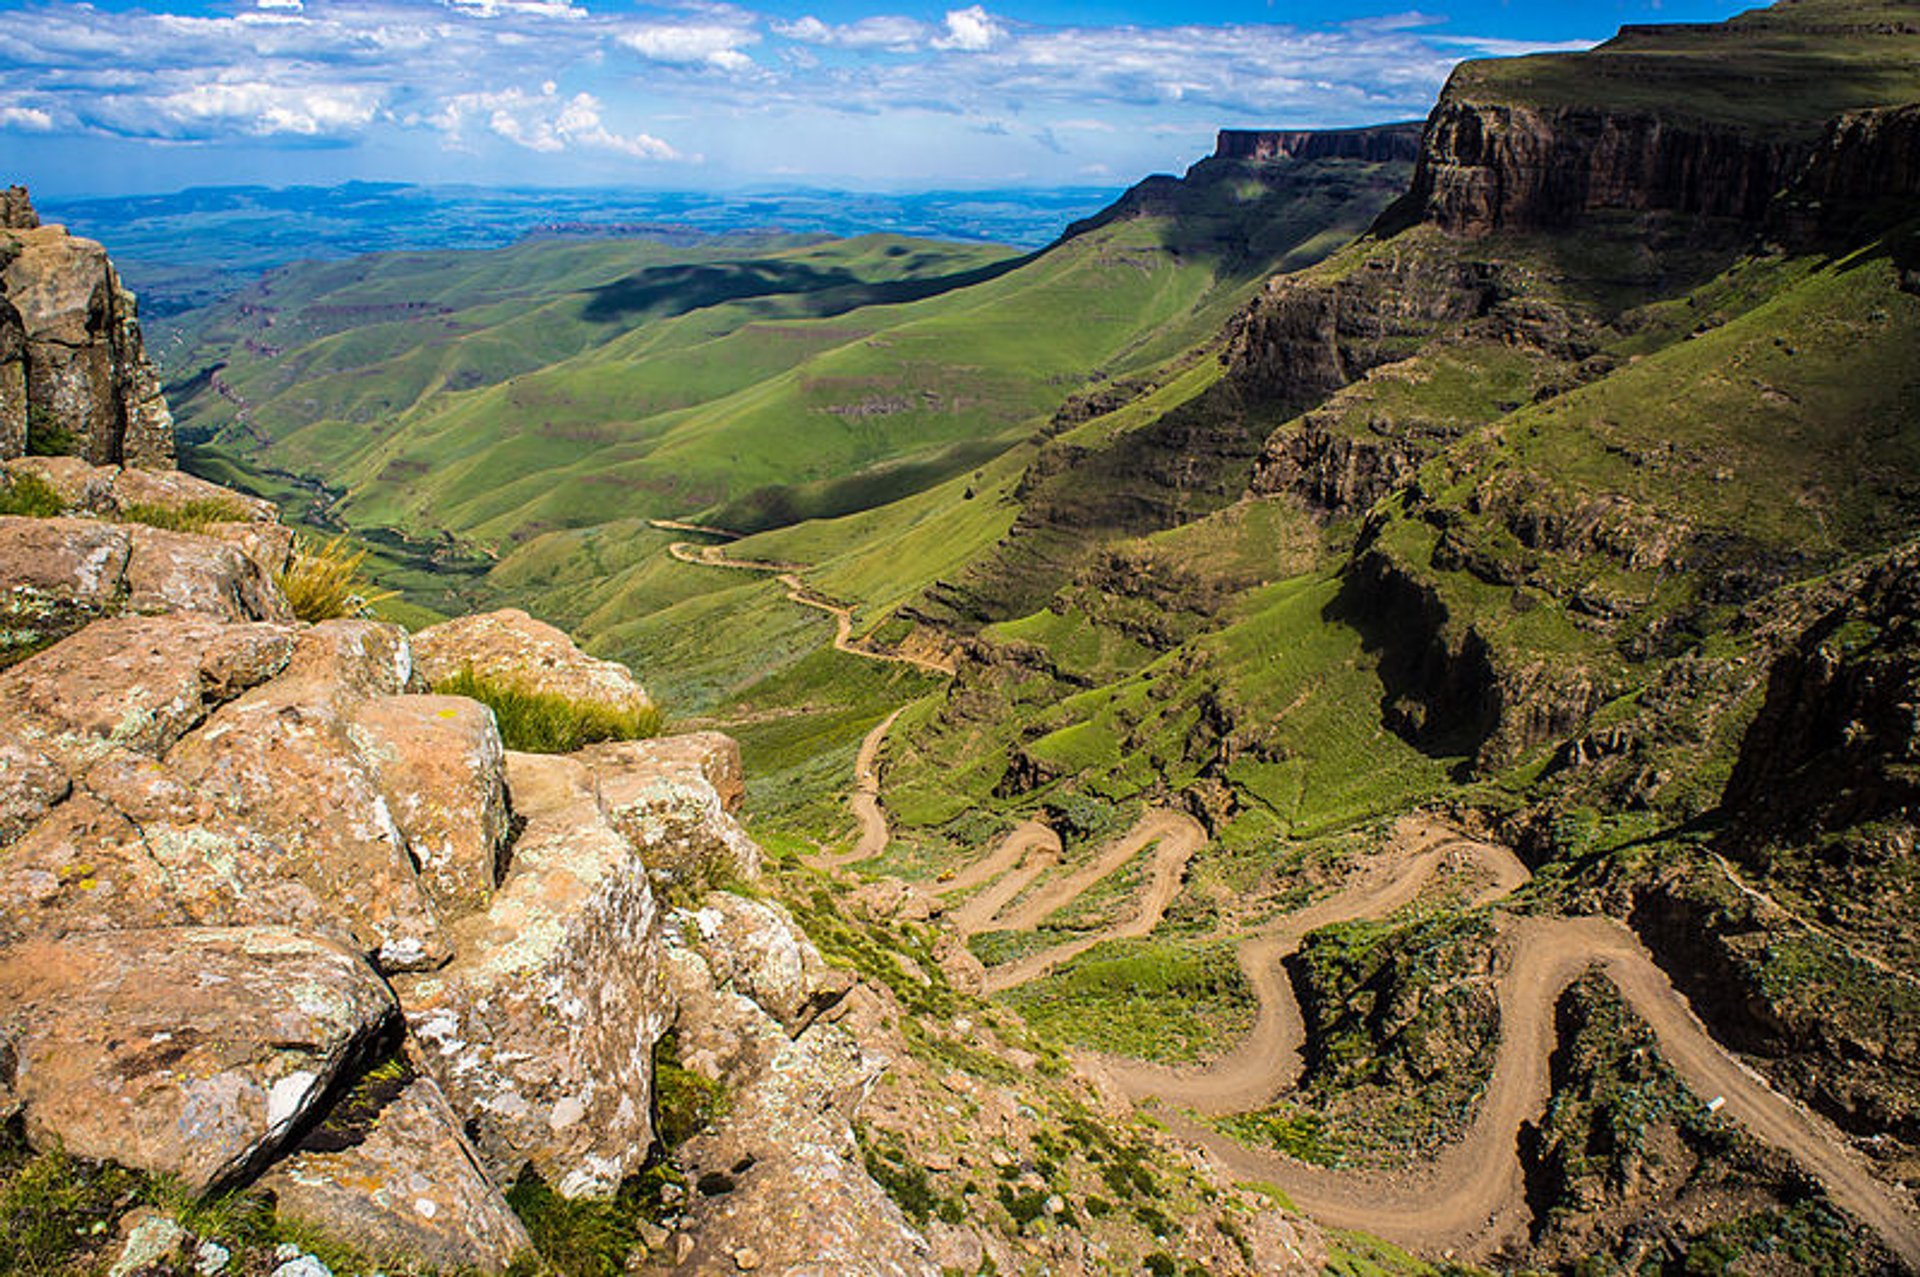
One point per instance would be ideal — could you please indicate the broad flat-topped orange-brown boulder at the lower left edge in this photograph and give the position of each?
(181, 1051)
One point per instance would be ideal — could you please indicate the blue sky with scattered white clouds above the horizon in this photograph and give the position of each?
(118, 97)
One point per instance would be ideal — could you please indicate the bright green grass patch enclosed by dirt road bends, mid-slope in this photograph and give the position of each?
(1145, 1000)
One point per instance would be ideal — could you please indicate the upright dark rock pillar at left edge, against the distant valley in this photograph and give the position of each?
(72, 358)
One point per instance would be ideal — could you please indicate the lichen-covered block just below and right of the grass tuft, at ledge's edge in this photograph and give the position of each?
(673, 800)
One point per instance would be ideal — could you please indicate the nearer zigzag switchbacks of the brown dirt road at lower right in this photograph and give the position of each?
(1472, 1199)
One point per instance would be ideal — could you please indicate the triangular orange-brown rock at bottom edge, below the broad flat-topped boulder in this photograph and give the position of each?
(408, 1188)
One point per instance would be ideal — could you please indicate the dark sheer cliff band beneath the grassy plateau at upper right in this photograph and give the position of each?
(1491, 168)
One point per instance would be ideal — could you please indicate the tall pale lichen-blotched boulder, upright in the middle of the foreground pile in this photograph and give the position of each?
(542, 1028)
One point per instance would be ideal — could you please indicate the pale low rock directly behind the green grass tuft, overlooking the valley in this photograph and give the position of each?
(514, 648)
